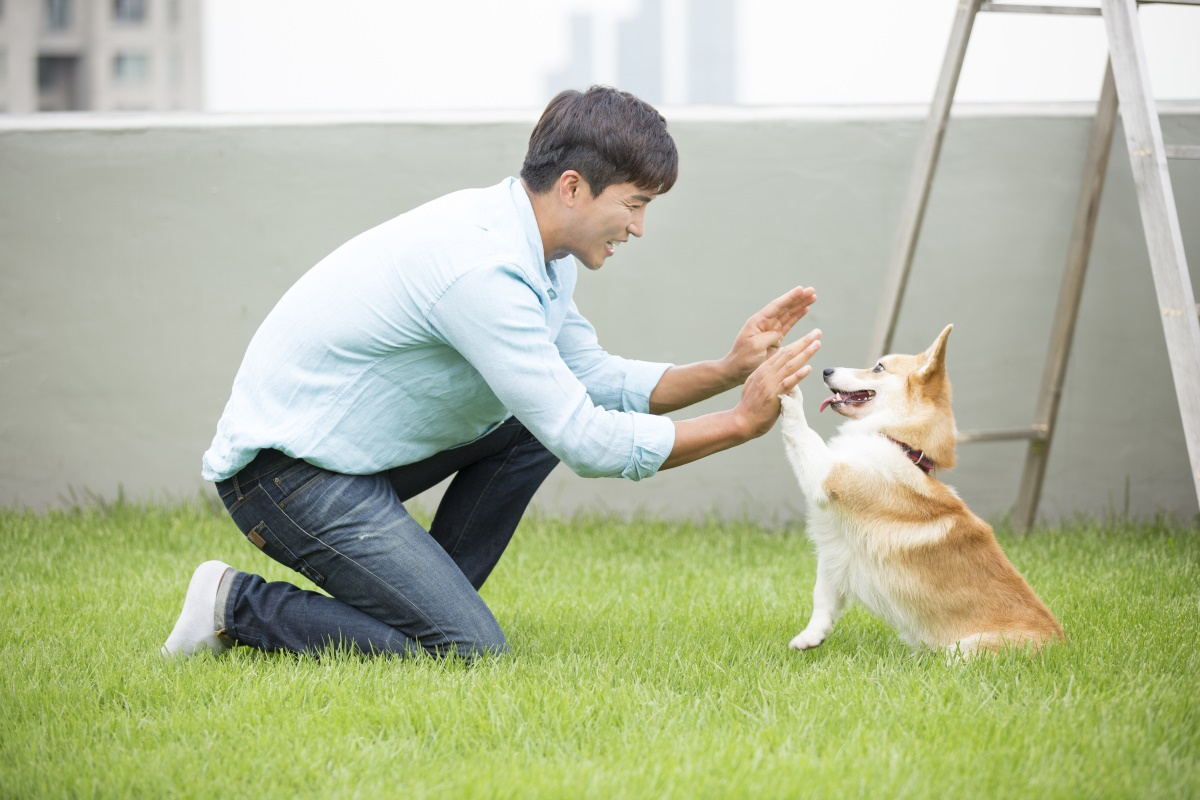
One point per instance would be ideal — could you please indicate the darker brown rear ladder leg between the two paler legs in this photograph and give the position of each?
(1067, 312)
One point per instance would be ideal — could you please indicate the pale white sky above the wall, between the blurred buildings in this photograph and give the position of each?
(316, 56)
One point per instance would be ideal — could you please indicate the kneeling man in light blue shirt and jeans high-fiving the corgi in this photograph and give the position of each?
(446, 342)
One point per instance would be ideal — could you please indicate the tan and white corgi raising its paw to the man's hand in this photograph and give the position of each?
(887, 532)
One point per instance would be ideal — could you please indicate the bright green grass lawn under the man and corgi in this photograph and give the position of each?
(650, 659)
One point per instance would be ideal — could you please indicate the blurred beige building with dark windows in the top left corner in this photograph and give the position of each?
(100, 56)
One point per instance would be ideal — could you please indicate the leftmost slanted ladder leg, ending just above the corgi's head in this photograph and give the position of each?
(922, 178)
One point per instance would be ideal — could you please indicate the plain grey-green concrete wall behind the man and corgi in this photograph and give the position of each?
(139, 256)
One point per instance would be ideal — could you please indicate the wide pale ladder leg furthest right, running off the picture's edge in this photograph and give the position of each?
(1160, 218)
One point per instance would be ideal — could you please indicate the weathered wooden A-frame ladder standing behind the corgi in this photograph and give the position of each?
(1126, 80)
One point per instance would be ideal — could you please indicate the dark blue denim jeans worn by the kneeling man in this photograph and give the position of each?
(395, 588)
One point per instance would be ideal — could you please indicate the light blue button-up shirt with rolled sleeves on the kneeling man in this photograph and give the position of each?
(427, 333)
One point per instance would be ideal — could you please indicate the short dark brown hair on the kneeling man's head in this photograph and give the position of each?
(608, 136)
